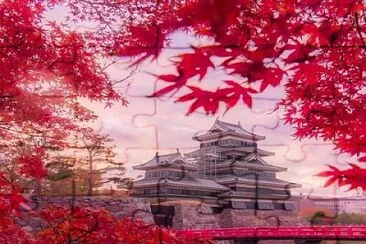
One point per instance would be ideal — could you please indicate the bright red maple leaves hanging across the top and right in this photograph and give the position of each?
(315, 48)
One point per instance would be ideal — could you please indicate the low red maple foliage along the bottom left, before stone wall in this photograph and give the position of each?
(86, 225)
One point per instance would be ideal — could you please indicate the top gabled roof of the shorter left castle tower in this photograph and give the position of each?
(172, 160)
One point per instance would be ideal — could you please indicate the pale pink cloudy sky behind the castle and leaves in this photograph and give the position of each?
(150, 125)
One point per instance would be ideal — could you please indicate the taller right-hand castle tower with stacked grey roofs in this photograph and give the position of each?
(229, 154)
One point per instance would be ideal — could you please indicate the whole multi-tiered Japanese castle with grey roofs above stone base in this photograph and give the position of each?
(228, 170)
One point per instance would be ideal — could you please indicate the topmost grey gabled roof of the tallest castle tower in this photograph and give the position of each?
(221, 128)
